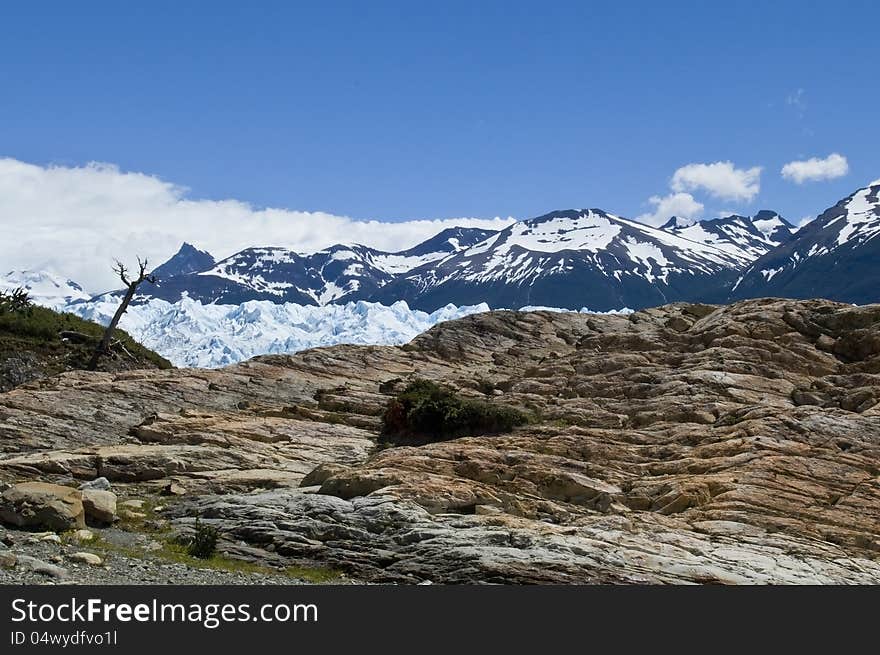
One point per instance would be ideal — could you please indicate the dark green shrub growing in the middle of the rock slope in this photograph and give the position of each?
(425, 412)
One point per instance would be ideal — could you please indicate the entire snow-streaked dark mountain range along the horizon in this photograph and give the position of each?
(566, 259)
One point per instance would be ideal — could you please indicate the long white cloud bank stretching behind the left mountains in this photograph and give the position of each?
(76, 220)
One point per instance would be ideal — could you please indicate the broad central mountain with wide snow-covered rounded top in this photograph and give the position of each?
(572, 258)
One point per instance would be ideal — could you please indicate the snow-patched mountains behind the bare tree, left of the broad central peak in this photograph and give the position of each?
(340, 272)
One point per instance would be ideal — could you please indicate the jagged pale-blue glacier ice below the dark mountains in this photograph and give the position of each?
(190, 333)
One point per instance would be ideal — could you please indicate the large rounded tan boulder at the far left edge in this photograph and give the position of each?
(42, 505)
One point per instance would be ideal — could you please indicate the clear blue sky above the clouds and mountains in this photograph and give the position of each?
(393, 110)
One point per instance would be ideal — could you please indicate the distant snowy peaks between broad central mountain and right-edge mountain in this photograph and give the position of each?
(743, 237)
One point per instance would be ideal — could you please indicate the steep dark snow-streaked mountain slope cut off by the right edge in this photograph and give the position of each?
(835, 256)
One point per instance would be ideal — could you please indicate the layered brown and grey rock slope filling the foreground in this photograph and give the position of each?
(683, 444)
